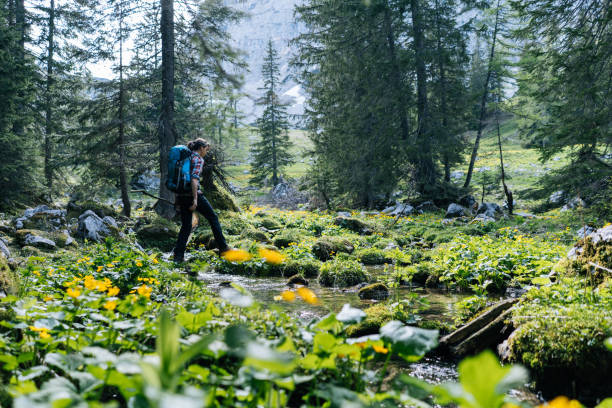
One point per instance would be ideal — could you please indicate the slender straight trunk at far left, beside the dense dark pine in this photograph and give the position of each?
(48, 96)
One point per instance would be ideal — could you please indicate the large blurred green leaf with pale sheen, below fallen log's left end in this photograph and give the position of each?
(411, 343)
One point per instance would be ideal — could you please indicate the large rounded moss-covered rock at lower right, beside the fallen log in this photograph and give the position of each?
(566, 355)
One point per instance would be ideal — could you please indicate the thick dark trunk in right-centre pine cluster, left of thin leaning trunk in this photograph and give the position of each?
(425, 166)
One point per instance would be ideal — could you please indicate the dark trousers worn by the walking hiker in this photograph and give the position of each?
(207, 211)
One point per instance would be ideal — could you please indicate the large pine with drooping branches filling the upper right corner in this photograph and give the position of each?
(564, 89)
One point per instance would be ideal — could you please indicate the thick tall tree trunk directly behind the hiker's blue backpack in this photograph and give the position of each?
(167, 132)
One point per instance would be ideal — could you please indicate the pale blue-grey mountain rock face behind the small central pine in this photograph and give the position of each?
(267, 20)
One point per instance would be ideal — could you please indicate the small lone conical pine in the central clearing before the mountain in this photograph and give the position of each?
(271, 153)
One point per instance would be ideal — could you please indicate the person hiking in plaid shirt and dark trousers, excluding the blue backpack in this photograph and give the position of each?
(187, 203)
